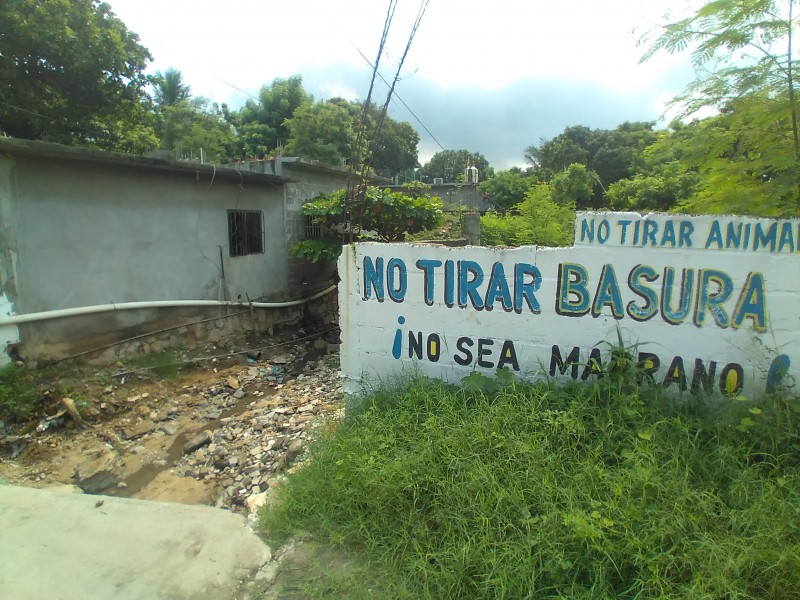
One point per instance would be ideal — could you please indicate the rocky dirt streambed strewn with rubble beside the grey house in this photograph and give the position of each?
(132, 432)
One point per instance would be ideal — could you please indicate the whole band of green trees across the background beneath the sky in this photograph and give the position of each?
(75, 75)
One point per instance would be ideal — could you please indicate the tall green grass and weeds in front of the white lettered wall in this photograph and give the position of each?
(536, 491)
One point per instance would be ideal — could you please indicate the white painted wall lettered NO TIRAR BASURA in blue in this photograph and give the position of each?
(761, 283)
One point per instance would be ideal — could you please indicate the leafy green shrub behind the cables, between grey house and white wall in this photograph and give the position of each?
(385, 216)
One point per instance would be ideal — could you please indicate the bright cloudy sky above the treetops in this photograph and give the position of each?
(489, 77)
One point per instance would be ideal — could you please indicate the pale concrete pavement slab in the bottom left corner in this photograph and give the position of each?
(64, 546)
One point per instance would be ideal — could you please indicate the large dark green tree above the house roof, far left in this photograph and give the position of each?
(71, 72)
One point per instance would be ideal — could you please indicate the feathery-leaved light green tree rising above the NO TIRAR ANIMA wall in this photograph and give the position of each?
(745, 69)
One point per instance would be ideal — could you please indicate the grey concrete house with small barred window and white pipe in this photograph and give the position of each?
(85, 233)
